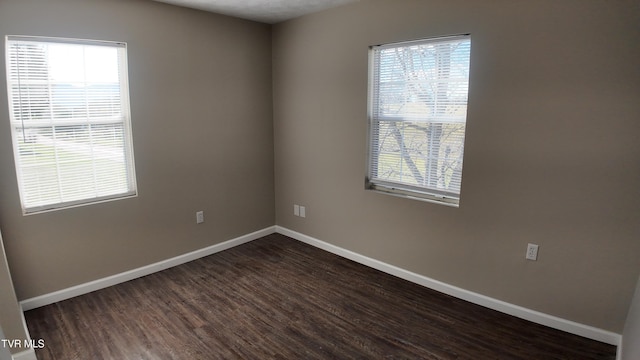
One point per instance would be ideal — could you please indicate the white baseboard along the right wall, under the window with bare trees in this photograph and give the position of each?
(488, 302)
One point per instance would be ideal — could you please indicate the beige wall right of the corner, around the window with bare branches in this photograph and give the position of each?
(551, 156)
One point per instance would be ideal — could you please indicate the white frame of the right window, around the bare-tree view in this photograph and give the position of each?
(398, 189)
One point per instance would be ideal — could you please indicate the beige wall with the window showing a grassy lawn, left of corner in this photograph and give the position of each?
(200, 88)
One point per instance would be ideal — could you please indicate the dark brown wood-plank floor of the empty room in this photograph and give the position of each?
(277, 298)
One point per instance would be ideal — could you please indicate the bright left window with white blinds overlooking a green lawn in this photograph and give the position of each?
(70, 121)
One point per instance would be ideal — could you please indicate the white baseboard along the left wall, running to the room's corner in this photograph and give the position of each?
(85, 288)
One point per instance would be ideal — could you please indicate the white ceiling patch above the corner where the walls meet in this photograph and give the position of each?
(266, 11)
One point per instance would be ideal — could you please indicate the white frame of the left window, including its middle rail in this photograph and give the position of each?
(125, 109)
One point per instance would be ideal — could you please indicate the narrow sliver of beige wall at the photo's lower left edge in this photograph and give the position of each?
(11, 320)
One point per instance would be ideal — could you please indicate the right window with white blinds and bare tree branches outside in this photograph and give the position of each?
(417, 115)
